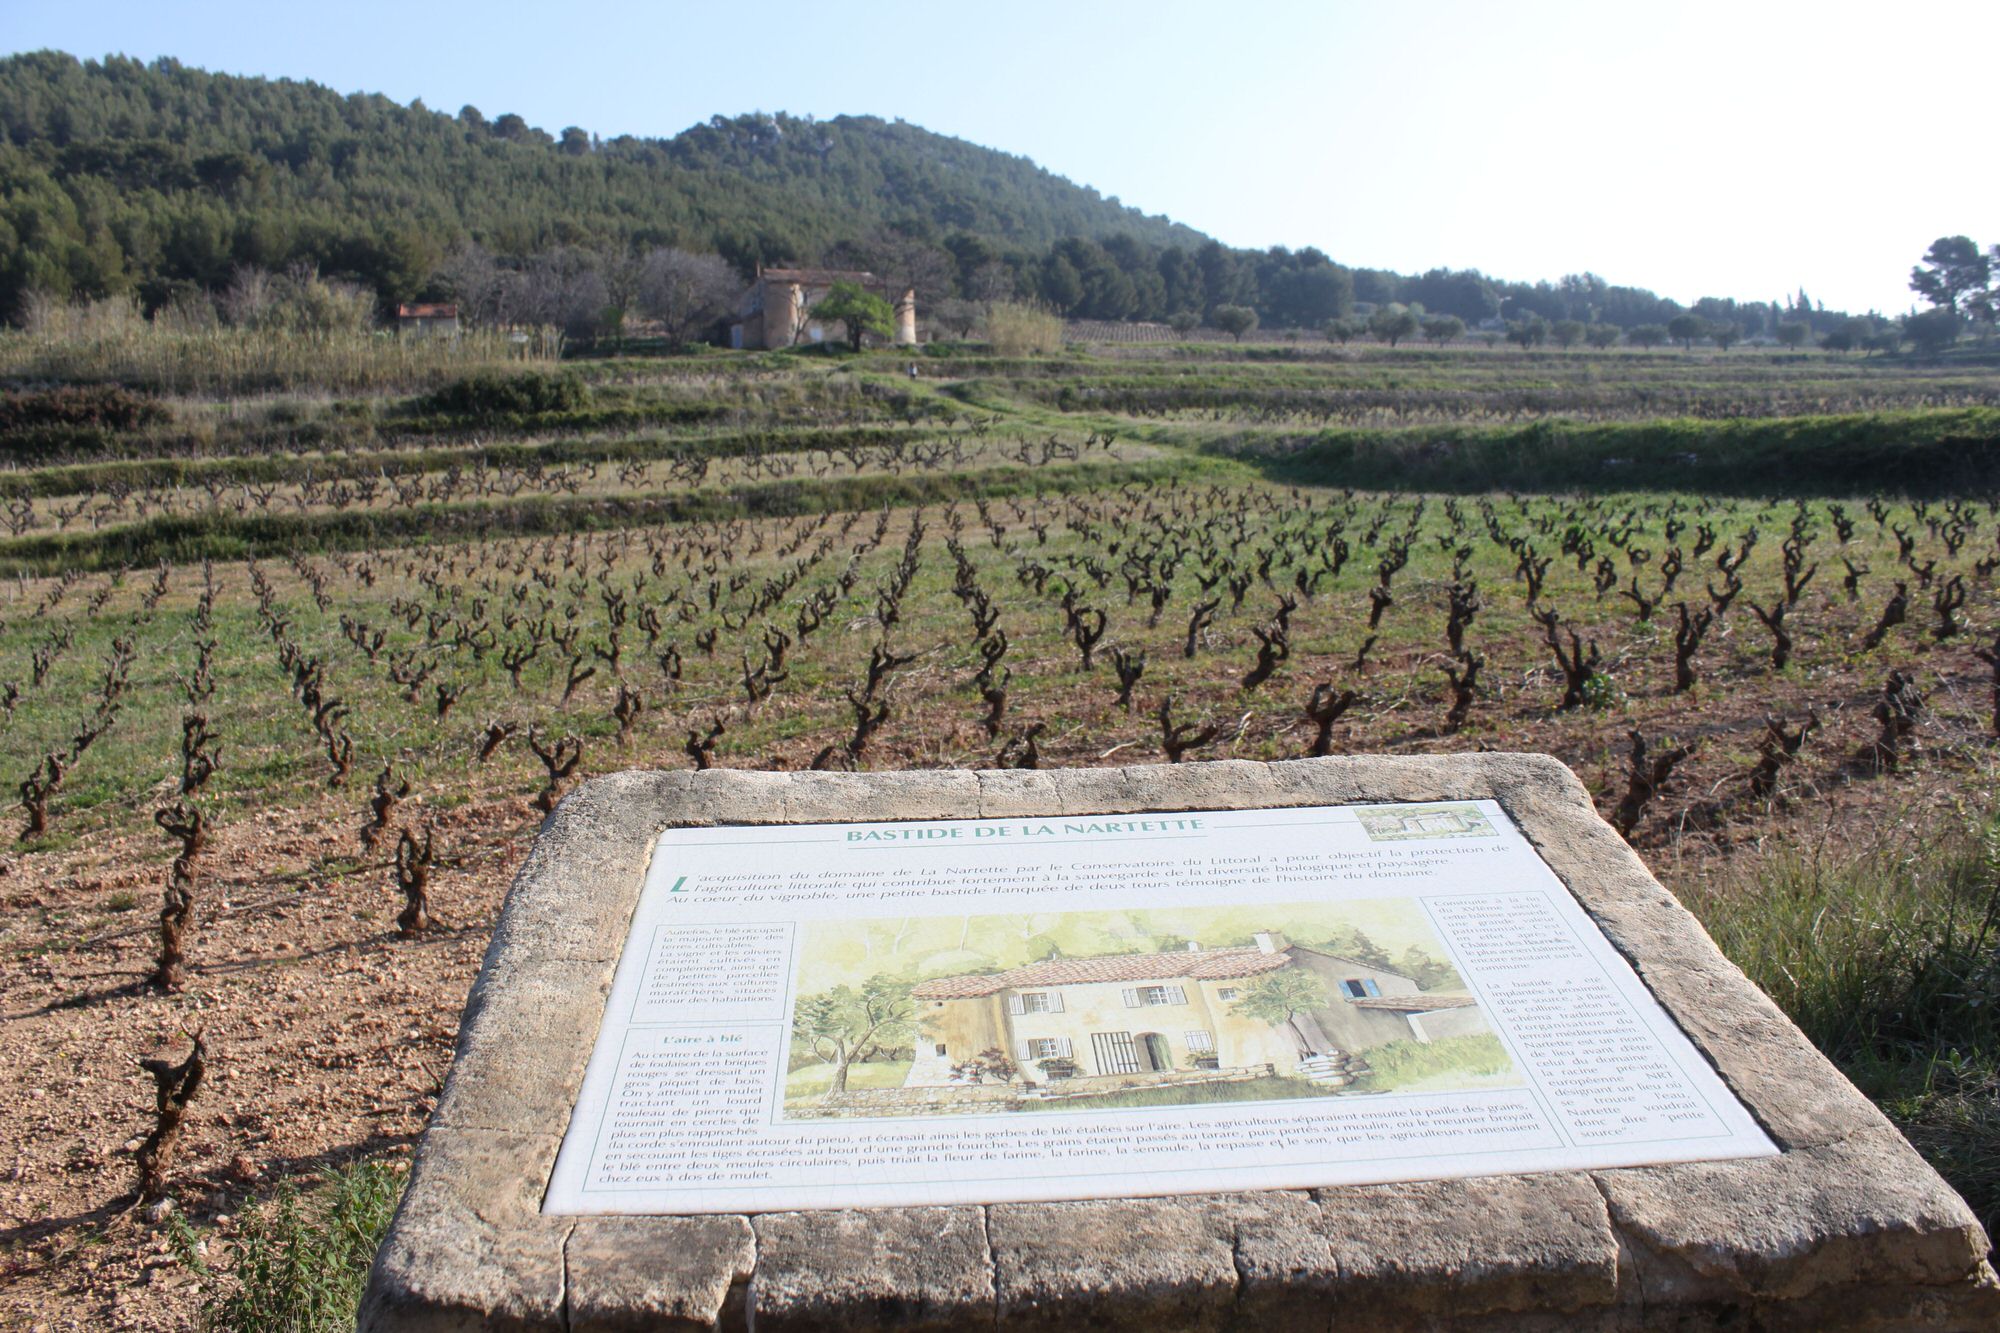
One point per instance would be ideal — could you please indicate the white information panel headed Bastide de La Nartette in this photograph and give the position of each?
(1111, 1006)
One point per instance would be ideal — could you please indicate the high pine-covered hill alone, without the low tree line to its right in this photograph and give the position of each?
(121, 175)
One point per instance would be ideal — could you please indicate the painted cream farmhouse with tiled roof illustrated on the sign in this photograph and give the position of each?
(1175, 1012)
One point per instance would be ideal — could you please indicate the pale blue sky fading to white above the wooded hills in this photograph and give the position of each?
(1697, 149)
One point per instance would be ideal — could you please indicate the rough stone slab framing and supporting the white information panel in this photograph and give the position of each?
(1845, 1230)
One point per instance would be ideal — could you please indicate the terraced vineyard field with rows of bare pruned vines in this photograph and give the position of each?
(289, 678)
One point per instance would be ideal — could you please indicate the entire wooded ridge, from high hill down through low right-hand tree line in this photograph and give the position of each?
(161, 181)
